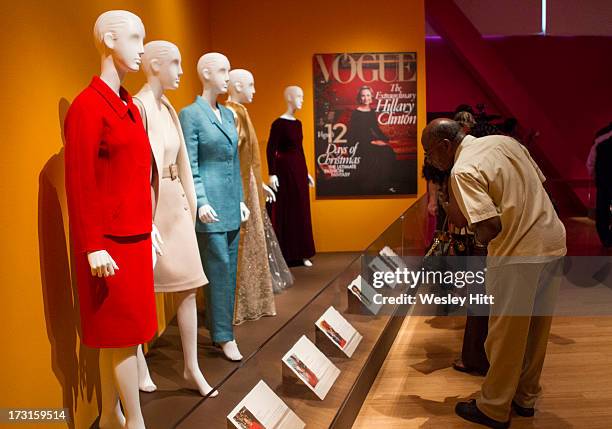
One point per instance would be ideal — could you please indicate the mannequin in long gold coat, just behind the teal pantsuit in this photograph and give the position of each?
(254, 291)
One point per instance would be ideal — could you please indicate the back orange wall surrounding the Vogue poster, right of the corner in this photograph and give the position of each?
(275, 39)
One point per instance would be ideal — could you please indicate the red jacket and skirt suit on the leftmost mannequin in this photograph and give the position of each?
(108, 186)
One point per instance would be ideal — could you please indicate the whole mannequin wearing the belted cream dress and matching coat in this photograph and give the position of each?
(179, 269)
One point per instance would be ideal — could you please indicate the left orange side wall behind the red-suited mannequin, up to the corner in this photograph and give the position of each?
(49, 55)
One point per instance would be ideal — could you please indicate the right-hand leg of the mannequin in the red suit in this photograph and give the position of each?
(125, 366)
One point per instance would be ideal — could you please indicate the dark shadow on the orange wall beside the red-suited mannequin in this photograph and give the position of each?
(76, 372)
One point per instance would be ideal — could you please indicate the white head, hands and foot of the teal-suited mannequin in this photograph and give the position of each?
(213, 70)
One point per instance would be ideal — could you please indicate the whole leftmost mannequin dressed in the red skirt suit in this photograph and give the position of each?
(108, 173)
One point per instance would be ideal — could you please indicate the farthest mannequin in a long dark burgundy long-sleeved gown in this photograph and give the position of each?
(289, 177)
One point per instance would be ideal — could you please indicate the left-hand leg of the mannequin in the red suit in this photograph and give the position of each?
(111, 416)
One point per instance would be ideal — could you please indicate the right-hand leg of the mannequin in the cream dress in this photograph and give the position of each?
(188, 327)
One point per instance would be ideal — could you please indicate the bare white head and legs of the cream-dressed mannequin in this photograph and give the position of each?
(162, 66)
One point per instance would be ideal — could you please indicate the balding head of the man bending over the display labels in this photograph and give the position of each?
(440, 140)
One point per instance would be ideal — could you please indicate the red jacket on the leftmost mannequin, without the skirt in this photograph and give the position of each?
(108, 167)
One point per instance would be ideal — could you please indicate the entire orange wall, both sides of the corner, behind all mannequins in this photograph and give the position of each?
(48, 56)
